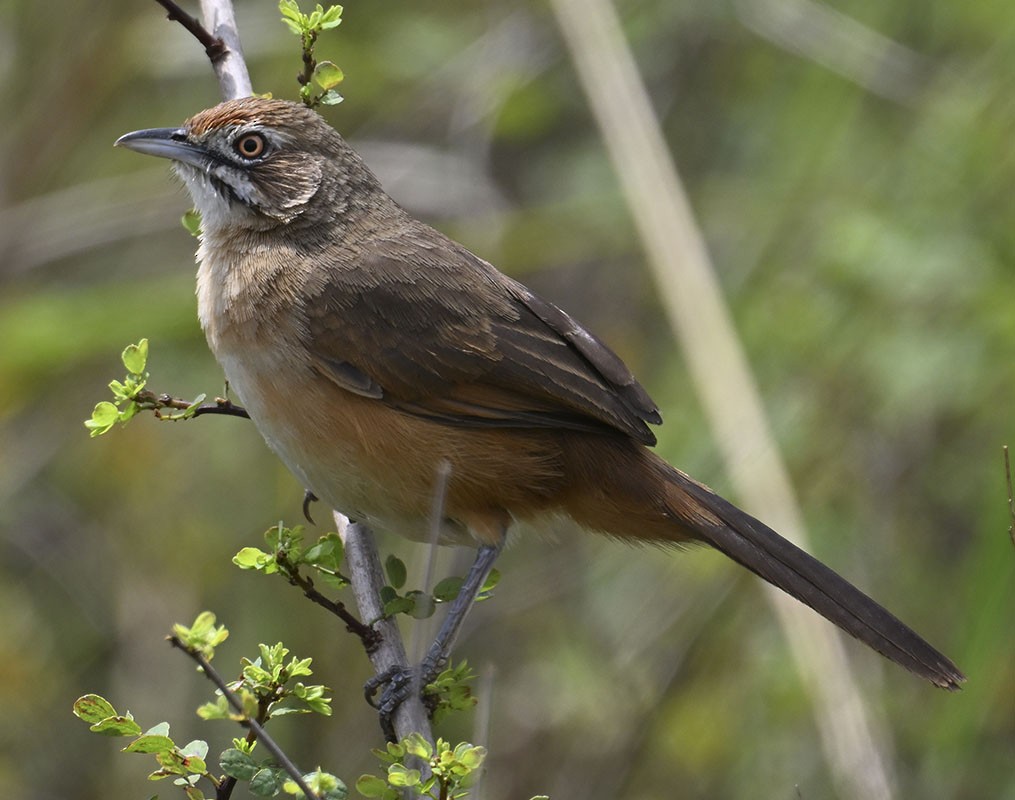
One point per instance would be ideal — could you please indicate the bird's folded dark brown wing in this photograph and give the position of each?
(425, 326)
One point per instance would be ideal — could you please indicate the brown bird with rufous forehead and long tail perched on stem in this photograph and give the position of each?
(370, 350)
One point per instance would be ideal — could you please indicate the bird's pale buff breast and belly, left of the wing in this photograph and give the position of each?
(327, 437)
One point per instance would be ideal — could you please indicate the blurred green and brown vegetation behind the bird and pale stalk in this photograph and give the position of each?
(852, 166)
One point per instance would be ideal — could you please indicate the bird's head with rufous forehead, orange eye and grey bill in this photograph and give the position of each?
(256, 163)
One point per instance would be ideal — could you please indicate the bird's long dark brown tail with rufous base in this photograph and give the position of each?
(654, 502)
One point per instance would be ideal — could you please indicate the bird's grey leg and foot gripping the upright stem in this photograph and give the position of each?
(400, 683)
